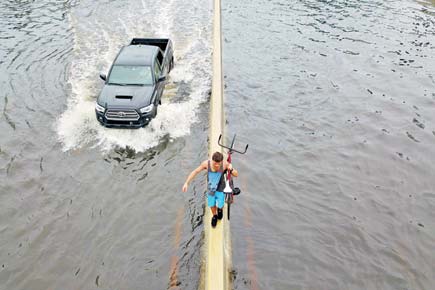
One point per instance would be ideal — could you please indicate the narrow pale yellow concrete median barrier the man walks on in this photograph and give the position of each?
(217, 240)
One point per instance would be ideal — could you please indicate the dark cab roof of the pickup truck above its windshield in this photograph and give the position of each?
(136, 55)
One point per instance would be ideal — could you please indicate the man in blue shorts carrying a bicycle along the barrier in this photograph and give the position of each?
(216, 183)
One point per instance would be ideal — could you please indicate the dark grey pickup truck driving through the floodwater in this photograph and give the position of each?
(134, 86)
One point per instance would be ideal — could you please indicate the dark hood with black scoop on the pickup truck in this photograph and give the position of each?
(131, 97)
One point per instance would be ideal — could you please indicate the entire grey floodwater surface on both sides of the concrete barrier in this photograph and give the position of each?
(335, 98)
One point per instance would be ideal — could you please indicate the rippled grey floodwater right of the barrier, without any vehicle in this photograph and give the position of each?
(337, 101)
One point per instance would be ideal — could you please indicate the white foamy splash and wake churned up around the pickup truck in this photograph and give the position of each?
(95, 46)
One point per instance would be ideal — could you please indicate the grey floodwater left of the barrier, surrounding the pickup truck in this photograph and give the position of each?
(83, 207)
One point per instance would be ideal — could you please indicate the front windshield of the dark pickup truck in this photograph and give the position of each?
(131, 75)
